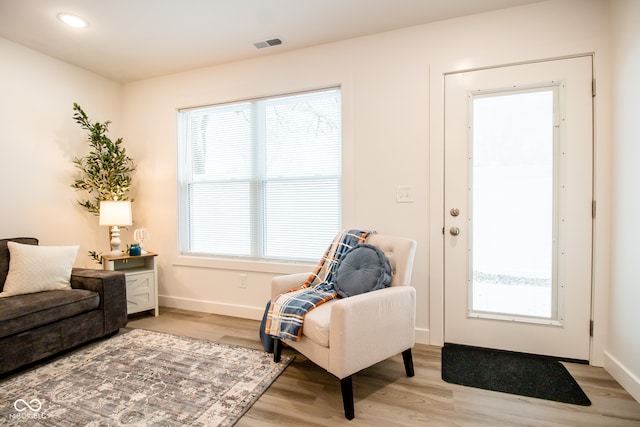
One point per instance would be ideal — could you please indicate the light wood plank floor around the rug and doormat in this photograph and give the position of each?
(306, 395)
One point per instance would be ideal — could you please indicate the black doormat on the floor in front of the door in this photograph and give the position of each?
(515, 373)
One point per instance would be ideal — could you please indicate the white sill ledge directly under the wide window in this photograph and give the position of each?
(242, 265)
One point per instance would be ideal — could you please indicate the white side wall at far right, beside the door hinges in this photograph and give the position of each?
(623, 347)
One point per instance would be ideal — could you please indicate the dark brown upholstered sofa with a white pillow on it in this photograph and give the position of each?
(38, 325)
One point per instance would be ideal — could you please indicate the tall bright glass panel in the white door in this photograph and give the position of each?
(513, 199)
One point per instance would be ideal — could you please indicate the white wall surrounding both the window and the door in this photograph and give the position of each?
(393, 97)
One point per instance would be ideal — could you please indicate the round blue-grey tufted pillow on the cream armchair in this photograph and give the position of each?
(363, 268)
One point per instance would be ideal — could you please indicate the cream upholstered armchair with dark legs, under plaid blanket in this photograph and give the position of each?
(347, 335)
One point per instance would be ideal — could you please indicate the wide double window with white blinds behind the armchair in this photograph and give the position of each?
(261, 179)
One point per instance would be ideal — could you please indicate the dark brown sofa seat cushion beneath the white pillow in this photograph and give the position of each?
(23, 312)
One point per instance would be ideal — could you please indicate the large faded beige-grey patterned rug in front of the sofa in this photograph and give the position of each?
(141, 378)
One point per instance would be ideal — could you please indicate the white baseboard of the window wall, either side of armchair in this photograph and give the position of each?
(242, 311)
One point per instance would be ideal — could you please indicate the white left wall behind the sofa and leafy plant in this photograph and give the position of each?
(38, 139)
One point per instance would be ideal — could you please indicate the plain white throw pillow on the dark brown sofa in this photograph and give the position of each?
(35, 268)
